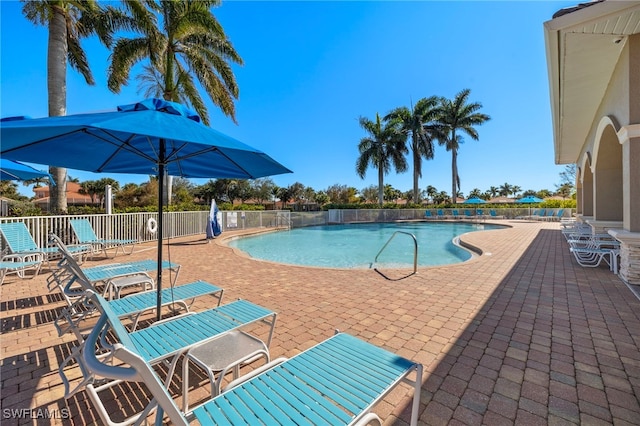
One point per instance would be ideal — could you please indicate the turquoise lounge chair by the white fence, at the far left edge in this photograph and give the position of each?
(22, 246)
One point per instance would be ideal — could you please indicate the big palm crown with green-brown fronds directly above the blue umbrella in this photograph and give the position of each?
(186, 46)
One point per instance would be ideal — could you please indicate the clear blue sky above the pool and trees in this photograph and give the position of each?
(312, 68)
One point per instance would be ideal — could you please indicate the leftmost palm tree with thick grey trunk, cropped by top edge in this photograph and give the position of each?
(68, 21)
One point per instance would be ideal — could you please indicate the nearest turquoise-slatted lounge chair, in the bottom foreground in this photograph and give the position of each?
(336, 382)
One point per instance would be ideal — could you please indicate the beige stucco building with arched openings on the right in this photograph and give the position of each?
(593, 58)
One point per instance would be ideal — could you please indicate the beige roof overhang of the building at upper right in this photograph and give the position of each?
(583, 47)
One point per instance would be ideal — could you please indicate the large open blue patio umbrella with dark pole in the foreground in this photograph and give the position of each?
(151, 137)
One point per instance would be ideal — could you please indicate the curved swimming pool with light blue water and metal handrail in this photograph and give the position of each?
(356, 245)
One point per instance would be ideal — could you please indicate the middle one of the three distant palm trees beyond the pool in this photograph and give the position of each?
(419, 124)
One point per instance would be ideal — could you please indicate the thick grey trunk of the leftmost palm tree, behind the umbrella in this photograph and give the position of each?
(57, 92)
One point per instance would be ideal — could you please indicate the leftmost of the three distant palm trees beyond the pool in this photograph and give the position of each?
(383, 148)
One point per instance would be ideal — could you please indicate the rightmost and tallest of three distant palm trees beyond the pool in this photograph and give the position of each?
(458, 115)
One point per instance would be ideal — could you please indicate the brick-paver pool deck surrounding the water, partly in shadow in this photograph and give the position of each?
(519, 335)
